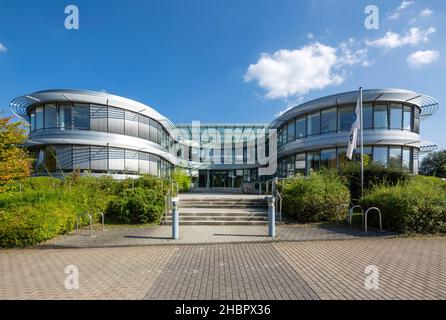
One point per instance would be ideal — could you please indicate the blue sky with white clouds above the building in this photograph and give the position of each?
(222, 60)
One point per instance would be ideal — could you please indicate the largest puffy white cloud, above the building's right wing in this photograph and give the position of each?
(287, 73)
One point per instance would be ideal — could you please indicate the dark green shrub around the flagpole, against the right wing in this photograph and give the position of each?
(374, 174)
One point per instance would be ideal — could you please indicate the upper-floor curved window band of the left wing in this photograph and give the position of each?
(81, 116)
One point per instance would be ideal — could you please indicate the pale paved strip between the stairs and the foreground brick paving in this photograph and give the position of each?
(161, 235)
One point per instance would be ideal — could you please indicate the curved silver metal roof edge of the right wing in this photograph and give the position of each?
(427, 104)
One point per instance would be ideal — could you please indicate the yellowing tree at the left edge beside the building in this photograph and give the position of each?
(15, 161)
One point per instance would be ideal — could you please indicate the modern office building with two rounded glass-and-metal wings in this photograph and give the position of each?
(100, 133)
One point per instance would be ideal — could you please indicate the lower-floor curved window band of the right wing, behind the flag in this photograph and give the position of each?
(305, 162)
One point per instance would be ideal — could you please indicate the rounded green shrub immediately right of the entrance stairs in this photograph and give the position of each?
(316, 198)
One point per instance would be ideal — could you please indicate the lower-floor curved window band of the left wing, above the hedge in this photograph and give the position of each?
(98, 159)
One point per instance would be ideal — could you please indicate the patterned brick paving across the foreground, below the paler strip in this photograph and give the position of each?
(412, 268)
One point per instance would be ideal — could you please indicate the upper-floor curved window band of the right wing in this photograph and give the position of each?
(379, 116)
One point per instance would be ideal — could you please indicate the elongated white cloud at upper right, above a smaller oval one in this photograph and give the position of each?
(394, 40)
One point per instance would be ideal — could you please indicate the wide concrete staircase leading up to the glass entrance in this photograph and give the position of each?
(205, 209)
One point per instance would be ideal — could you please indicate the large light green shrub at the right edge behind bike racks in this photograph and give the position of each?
(416, 206)
